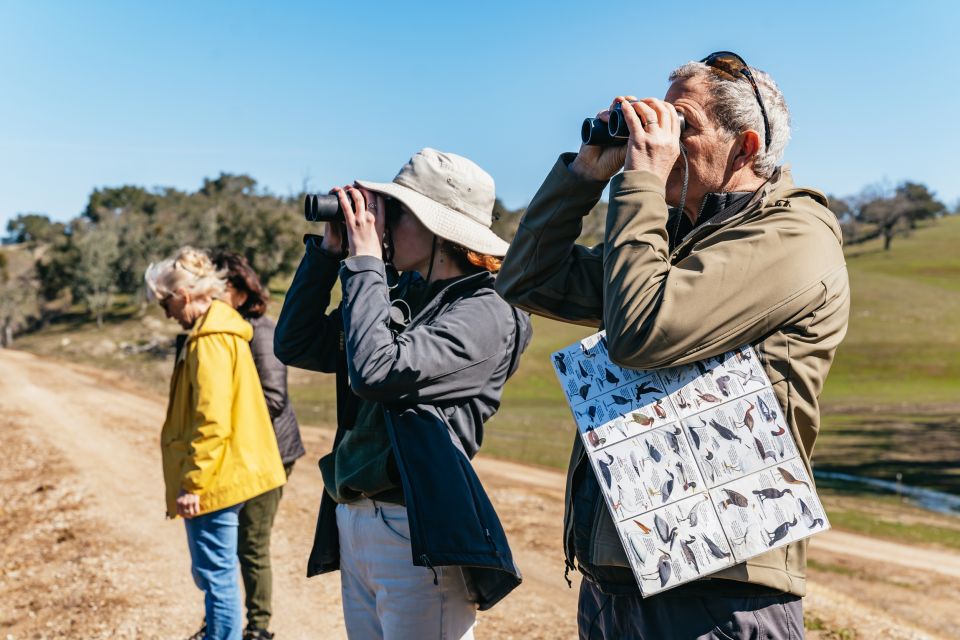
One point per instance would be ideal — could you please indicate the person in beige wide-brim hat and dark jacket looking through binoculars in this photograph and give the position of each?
(421, 366)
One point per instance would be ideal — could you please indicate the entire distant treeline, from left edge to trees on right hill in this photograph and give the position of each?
(105, 250)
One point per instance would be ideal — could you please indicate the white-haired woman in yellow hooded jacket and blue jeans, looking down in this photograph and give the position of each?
(218, 444)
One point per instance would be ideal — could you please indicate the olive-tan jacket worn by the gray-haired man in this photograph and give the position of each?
(771, 275)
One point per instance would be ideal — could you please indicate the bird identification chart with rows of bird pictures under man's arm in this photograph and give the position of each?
(697, 463)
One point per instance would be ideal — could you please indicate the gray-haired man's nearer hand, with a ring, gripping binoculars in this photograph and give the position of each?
(654, 143)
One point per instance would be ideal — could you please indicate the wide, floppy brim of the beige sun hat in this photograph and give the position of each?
(445, 222)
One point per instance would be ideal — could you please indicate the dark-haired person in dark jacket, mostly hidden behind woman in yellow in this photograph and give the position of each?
(245, 293)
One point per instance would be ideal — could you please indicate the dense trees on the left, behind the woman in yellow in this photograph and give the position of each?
(105, 250)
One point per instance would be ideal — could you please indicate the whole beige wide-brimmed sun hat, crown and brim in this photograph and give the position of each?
(450, 195)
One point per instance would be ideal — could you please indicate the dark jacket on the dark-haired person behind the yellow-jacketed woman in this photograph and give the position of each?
(273, 379)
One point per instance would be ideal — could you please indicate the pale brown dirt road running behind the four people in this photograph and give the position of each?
(89, 554)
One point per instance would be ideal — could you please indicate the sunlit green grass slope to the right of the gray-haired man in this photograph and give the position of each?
(903, 345)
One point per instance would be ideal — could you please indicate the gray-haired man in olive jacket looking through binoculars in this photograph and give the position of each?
(708, 246)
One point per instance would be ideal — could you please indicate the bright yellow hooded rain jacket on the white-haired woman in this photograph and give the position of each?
(217, 440)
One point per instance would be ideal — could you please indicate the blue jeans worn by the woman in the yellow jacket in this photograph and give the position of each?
(212, 539)
